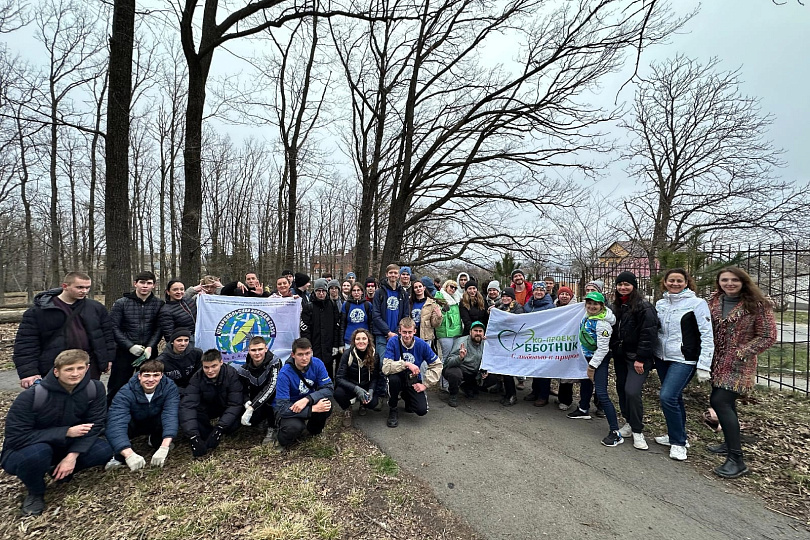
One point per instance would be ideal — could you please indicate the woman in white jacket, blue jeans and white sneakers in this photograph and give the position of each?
(685, 343)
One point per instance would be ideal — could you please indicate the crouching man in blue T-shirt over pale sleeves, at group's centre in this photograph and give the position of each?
(404, 356)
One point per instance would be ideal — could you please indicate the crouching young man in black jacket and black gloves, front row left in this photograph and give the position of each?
(215, 391)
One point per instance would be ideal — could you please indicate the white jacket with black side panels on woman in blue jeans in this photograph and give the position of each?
(685, 334)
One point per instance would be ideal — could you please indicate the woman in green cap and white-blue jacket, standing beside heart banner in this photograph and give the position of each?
(594, 336)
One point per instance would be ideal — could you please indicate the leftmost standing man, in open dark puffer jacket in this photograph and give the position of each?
(62, 319)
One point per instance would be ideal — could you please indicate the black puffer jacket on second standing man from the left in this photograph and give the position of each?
(135, 321)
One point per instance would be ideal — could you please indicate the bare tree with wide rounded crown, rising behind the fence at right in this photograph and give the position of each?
(700, 148)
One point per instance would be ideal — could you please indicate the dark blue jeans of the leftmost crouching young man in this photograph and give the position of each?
(30, 463)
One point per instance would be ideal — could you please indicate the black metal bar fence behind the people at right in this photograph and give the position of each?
(782, 271)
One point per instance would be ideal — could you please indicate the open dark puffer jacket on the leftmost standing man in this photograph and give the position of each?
(40, 338)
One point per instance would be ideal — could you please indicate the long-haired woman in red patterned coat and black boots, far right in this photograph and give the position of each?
(744, 326)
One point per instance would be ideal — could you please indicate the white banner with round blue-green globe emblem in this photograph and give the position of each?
(227, 323)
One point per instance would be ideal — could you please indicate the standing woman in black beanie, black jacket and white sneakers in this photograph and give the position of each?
(633, 344)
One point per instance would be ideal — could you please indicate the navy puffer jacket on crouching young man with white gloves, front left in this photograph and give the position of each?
(130, 403)
